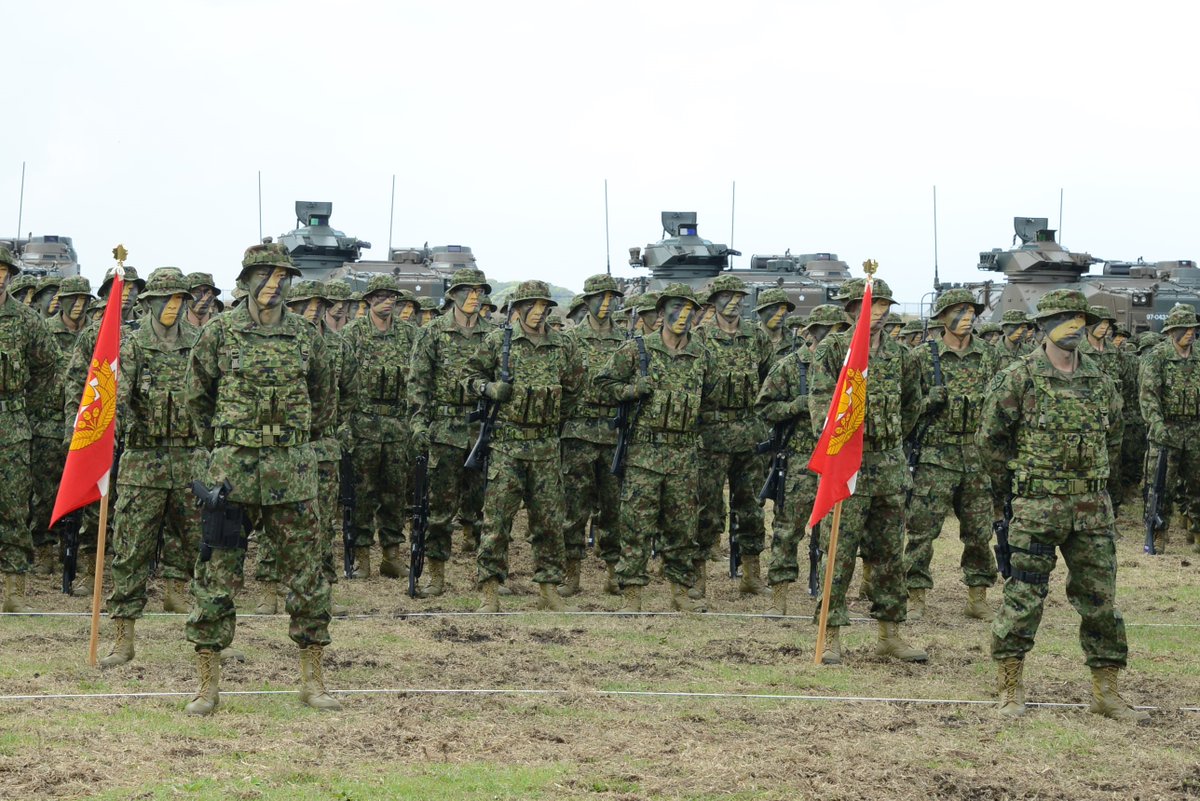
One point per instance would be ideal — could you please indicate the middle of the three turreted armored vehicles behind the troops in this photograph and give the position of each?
(682, 256)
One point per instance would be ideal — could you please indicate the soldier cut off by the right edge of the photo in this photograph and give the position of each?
(1169, 394)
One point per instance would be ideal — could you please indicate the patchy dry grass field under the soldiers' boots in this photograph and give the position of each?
(584, 744)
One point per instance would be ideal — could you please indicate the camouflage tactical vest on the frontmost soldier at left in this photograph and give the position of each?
(263, 396)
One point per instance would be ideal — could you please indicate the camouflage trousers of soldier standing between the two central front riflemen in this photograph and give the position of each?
(591, 492)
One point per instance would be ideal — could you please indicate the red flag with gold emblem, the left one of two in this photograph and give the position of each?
(91, 460)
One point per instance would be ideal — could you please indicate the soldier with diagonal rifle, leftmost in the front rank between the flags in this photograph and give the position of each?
(545, 375)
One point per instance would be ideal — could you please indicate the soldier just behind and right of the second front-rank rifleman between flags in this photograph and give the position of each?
(729, 435)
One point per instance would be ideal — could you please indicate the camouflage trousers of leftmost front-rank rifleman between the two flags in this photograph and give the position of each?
(539, 485)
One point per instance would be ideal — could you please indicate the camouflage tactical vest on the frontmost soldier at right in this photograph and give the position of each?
(1063, 442)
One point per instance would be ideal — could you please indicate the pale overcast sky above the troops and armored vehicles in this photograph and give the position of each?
(147, 124)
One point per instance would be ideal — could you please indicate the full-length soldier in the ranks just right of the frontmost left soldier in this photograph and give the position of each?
(382, 345)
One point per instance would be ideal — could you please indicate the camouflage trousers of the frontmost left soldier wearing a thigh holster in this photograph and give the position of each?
(295, 533)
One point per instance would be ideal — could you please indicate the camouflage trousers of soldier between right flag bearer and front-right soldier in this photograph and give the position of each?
(938, 492)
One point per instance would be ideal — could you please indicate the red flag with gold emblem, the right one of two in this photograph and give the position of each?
(839, 453)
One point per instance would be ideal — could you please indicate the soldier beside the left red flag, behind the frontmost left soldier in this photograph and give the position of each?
(157, 520)
